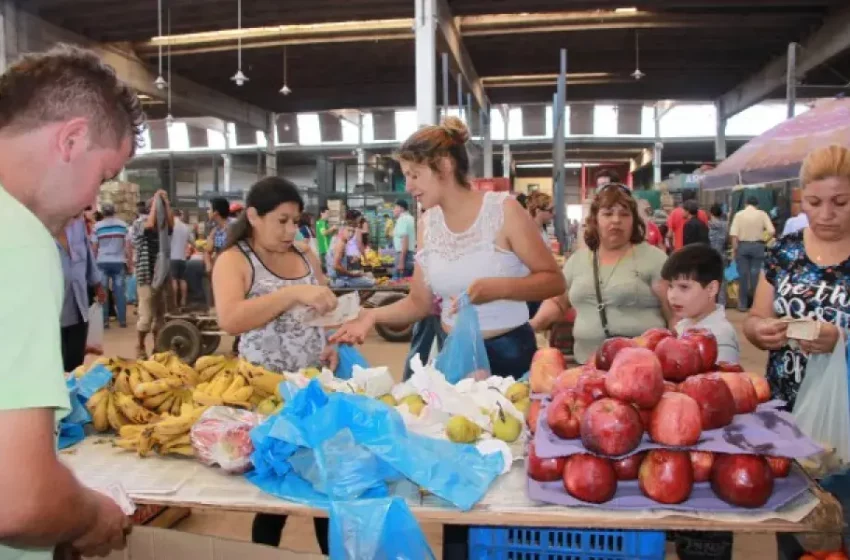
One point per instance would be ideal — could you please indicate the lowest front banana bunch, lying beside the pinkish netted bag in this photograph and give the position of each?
(169, 435)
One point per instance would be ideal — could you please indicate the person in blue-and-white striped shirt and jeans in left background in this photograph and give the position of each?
(112, 248)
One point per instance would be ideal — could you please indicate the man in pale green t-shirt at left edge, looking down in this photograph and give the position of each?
(67, 124)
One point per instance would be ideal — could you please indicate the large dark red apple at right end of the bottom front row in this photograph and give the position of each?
(742, 480)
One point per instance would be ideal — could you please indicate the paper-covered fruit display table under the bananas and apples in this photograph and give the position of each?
(175, 482)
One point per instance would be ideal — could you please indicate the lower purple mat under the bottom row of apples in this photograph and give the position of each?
(629, 496)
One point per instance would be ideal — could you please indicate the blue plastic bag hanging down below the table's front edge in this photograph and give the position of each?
(379, 528)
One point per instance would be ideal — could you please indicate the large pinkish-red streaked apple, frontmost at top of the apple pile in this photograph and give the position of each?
(635, 377)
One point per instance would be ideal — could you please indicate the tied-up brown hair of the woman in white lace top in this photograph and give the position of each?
(432, 143)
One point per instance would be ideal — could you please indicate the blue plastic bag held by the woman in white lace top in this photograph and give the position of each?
(463, 352)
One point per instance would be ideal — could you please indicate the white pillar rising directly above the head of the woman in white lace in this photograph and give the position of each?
(425, 27)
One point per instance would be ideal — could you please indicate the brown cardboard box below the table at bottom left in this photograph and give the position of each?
(148, 543)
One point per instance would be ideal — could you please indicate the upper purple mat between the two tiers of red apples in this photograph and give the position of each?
(767, 431)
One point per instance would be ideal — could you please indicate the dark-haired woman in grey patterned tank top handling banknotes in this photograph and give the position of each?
(264, 285)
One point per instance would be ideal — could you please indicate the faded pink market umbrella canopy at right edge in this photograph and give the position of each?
(778, 154)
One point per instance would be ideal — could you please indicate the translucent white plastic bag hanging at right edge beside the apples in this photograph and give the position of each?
(822, 408)
